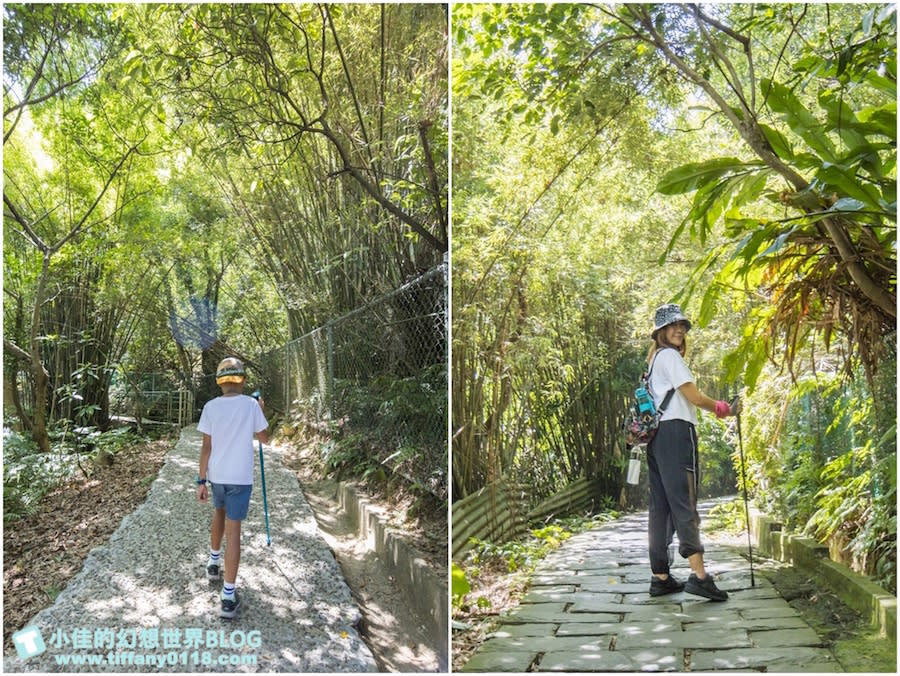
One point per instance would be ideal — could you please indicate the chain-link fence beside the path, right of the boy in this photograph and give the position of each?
(378, 377)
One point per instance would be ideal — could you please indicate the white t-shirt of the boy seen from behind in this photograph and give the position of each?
(231, 423)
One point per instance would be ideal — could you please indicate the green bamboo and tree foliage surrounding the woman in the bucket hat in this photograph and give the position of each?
(737, 159)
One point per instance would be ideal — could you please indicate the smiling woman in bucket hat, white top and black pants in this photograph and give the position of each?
(673, 461)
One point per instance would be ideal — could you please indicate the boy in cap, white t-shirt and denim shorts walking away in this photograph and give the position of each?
(228, 424)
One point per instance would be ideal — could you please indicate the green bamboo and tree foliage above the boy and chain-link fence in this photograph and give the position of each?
(182, 181)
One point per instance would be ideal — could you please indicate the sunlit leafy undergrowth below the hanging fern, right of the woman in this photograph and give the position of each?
(824, 460)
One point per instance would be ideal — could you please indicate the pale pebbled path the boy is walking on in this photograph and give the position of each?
(142, 602)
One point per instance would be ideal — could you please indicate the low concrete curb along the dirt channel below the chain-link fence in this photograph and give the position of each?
(422, 589)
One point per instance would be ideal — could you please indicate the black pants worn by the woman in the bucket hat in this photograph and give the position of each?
(674, 478)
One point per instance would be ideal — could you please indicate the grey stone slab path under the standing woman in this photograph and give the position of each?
(588, 609)
